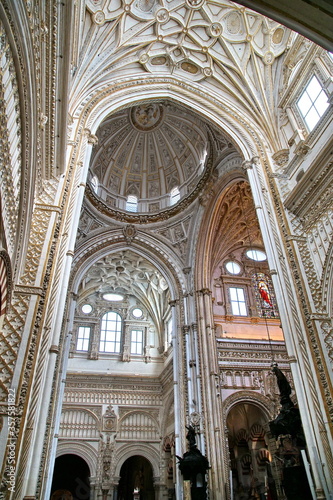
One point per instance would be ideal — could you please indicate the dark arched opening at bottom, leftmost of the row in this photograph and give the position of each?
(70, 478)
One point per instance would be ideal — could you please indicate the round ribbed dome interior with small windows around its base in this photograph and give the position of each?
(149, 152)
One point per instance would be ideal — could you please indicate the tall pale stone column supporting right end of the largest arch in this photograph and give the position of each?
(293, 326)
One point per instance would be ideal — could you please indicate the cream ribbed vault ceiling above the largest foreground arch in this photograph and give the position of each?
(232, 52)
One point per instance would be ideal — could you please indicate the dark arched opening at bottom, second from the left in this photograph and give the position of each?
(136, 479)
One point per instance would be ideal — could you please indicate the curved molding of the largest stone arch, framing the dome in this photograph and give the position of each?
(91, 113)
